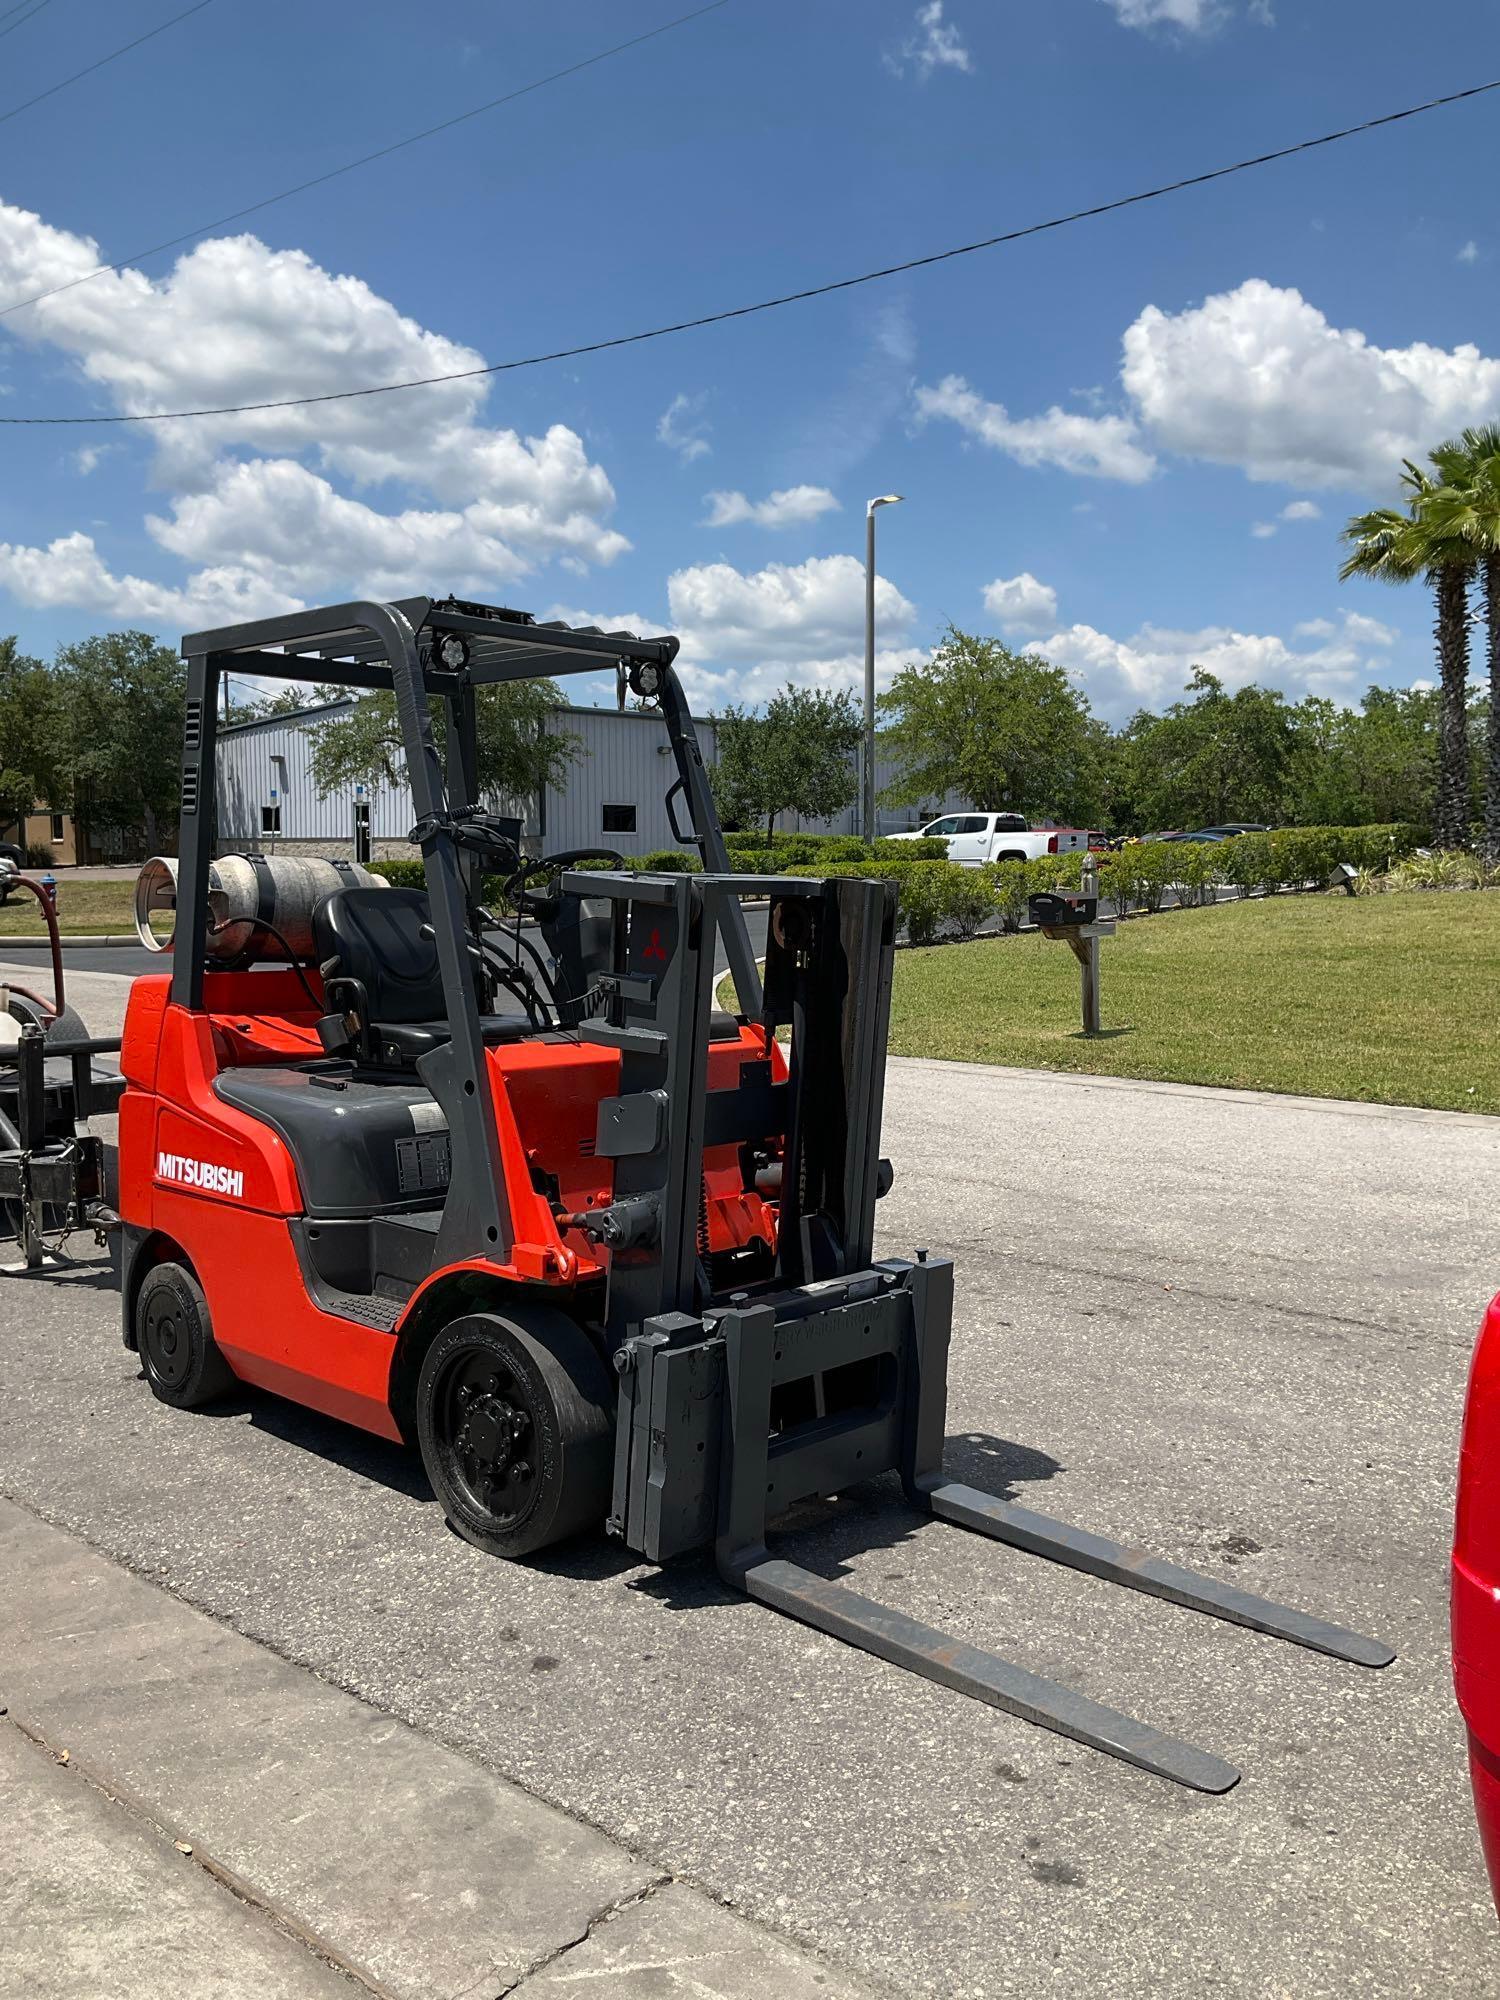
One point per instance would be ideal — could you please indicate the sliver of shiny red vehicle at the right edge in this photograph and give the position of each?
(1477, 1585)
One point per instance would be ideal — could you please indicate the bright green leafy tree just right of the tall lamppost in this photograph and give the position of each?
(1007, 731)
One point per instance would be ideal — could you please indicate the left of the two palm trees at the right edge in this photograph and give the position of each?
(1395, 547)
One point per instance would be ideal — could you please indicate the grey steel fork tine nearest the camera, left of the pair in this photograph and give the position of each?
(981, 1675)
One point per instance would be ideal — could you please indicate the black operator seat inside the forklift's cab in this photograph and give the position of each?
(381, 963)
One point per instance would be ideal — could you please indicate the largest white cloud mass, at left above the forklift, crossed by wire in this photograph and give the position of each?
(241, 323)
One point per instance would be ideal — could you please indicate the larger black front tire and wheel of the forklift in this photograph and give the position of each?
(539, 1369)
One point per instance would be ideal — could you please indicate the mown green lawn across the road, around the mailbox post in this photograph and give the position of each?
(1387, 999)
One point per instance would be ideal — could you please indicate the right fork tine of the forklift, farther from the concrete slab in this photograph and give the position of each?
(1141, 1571)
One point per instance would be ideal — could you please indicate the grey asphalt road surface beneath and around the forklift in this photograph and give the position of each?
(1229, 1327)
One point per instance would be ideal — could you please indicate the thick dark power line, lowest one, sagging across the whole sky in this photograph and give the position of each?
(785, 299)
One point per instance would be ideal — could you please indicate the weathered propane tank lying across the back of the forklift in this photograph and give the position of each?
(247, 893)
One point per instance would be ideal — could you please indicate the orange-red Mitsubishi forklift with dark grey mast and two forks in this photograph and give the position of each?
(511, 1187)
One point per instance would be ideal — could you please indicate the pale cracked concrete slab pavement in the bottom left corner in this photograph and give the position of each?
(229, 1823)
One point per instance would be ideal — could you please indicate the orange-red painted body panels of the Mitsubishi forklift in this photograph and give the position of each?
(223, 1185)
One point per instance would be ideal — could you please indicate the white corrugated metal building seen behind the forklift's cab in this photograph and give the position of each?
(613, 793)
